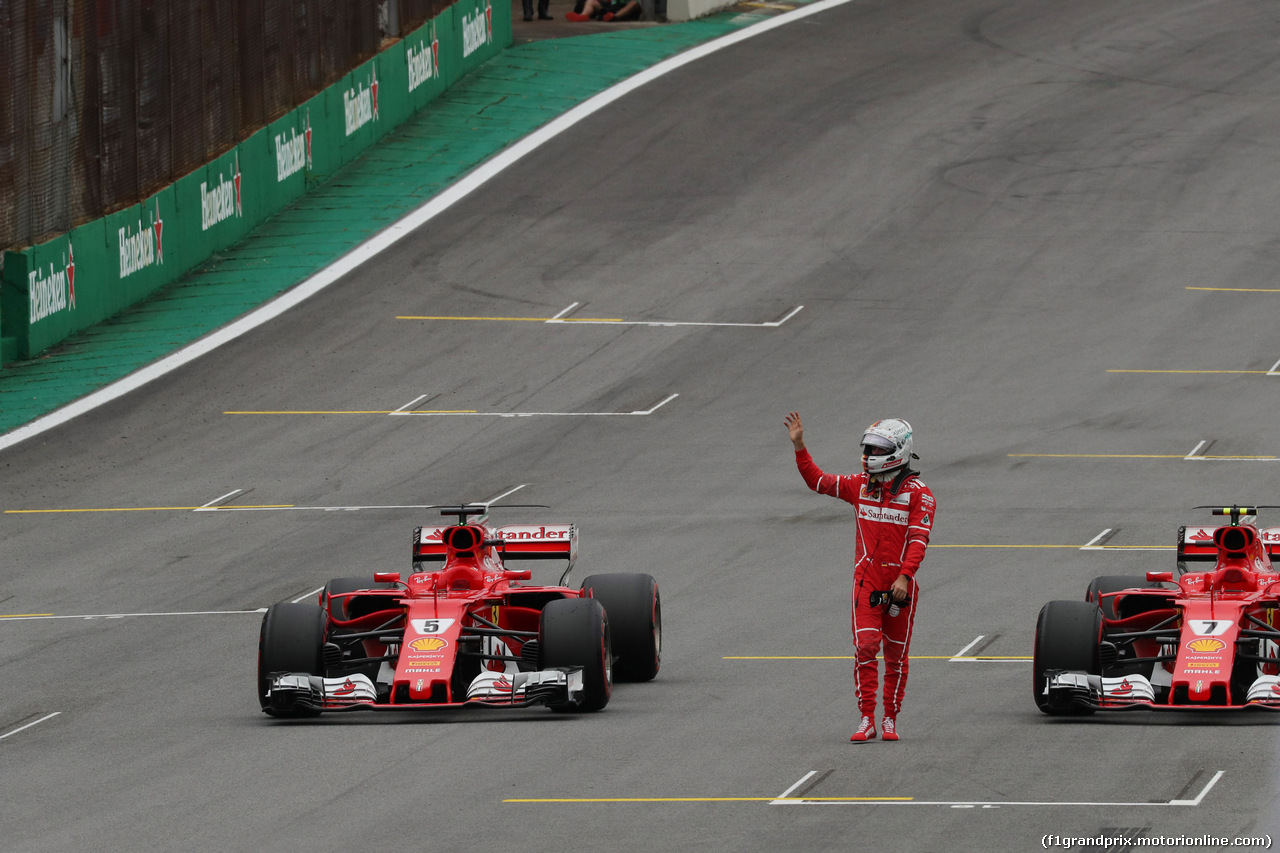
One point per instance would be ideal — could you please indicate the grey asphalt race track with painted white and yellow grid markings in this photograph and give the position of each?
(1045, 234)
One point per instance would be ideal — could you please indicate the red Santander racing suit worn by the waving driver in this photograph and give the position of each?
(894, 524)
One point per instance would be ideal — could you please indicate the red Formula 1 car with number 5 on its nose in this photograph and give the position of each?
(463, 631)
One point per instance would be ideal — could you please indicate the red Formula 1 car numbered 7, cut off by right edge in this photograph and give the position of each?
(1206, 638)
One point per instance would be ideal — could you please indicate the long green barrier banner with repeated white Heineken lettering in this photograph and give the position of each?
(57, 289)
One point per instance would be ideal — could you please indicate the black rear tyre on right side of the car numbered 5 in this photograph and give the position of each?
(636, 623)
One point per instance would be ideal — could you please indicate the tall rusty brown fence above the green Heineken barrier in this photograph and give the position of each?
(104, 102)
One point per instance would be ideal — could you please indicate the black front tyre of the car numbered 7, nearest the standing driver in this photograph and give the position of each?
(1068, 635)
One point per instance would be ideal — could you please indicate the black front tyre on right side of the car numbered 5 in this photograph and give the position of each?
(575, 632)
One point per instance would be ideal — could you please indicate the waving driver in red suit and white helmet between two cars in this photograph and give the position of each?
(894, 518)
